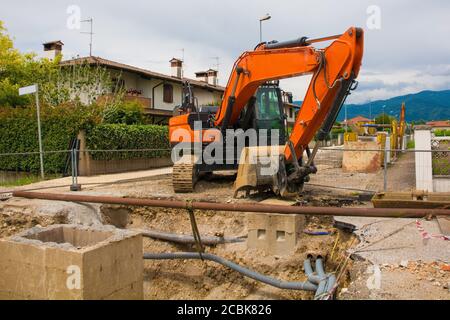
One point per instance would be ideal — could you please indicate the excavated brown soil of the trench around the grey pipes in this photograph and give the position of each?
(195, 279)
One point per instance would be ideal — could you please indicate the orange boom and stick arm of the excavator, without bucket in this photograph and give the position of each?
(333, 70)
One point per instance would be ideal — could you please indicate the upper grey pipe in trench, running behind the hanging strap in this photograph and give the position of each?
(188, 239)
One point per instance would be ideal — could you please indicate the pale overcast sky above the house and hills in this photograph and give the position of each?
(409, 53)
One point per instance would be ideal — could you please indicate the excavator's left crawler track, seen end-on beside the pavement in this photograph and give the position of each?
(184, 175)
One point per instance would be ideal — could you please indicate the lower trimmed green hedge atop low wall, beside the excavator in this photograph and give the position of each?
(128, 137)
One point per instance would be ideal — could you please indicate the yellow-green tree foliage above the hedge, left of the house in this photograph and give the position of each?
(80, 83)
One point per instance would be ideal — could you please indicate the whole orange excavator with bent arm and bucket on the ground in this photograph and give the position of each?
(333, 71)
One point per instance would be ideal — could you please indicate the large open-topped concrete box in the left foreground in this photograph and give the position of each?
(72, 262)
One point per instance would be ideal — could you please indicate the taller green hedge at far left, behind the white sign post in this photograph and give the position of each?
(19, 134)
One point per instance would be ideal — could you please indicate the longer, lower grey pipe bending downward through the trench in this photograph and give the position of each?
(307, 286)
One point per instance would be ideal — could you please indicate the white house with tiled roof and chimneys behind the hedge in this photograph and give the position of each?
(158, 93)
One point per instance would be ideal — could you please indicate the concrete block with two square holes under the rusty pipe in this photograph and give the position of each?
(276, 234)
